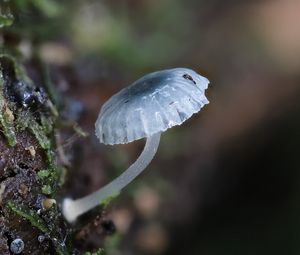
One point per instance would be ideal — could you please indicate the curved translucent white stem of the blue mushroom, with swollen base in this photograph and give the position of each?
(71, 209)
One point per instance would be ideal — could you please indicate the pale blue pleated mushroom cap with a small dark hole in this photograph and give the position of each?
(152, 104)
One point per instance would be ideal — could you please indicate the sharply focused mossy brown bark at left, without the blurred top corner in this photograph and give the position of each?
(30, 174)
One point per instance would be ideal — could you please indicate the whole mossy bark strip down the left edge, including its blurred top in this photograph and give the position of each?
(31, 173)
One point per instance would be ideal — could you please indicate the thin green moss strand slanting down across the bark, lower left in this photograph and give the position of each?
(29, 215)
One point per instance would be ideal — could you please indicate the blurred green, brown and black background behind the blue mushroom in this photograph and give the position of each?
(228, 180)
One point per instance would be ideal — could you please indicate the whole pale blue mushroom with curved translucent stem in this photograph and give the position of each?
(145, 109)
